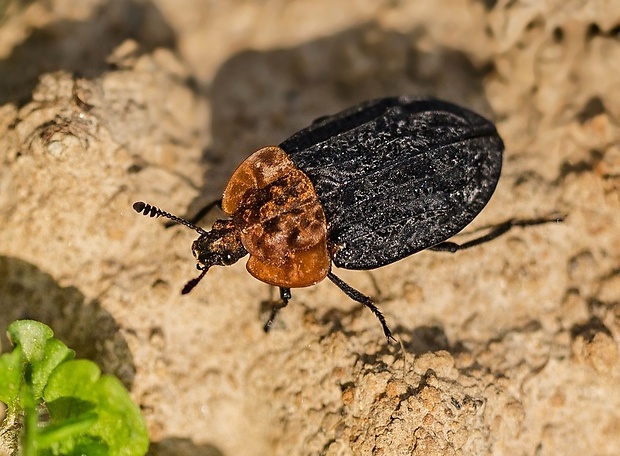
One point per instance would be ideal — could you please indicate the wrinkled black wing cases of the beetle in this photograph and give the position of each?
(397, 175)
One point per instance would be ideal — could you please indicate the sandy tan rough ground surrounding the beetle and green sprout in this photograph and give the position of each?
(509, 348)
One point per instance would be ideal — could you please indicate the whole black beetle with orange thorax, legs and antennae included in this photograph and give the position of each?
(359, 189)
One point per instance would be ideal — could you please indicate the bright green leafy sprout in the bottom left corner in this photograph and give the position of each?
(56, 405)
